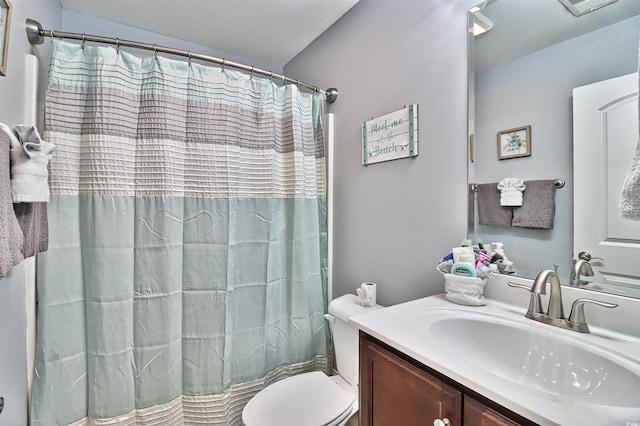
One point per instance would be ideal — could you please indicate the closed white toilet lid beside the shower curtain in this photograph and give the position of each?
(309, 399)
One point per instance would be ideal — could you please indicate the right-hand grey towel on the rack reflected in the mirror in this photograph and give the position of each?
(538, 205)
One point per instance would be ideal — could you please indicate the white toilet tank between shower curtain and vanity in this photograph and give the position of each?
(345, 334)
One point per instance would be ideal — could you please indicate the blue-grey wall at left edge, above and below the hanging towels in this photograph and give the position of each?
(13, 356)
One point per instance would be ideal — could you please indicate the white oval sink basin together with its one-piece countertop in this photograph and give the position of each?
(548, 375)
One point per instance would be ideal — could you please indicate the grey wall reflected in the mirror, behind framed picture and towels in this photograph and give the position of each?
(536, 90)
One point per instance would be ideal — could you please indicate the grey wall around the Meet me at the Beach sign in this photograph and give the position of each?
(395, 220)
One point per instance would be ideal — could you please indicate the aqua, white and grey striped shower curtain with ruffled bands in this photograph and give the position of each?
(188, 248)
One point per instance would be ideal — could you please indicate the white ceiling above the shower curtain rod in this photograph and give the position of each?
(268, 31)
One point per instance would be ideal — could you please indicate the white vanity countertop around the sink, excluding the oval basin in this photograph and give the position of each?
(396, 326)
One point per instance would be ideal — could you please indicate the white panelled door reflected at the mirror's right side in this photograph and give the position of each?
(605, 137)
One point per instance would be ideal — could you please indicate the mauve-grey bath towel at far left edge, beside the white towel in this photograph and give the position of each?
(10, 233)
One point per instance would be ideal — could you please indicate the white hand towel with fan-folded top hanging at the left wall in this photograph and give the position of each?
(29, 158)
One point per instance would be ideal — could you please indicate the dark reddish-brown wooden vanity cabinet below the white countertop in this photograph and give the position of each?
(397, 390)
